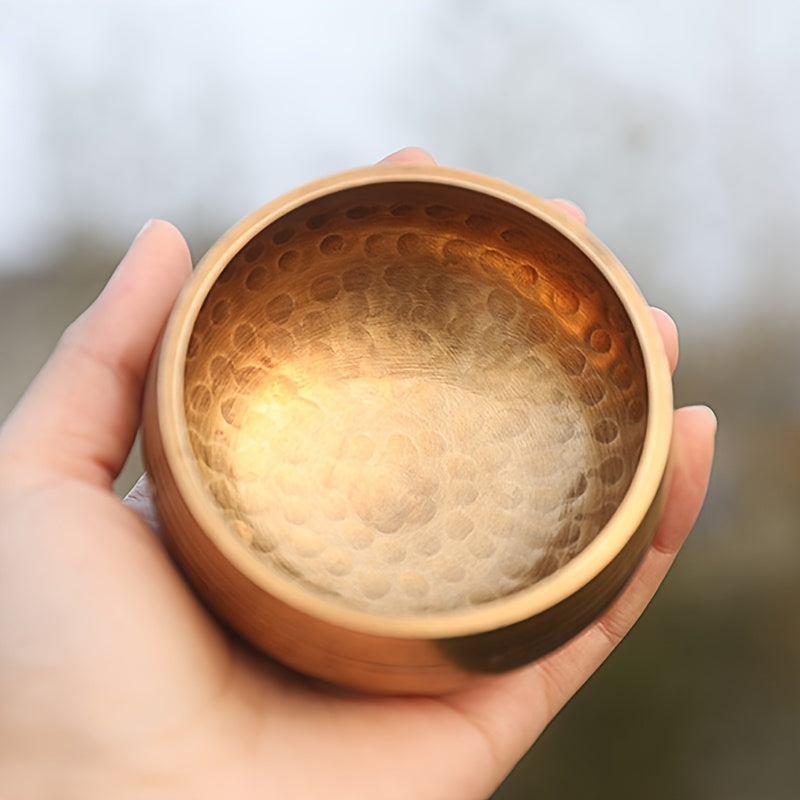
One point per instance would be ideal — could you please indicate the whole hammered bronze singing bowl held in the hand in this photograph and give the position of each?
(408, 425)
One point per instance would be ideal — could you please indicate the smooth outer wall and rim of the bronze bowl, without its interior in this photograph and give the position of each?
(238, 587)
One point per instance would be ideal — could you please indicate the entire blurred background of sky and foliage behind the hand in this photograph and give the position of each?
(675, 125)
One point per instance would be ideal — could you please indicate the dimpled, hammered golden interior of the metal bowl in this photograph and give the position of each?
(414, 405)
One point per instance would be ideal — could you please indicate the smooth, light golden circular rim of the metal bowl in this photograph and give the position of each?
(501, 612)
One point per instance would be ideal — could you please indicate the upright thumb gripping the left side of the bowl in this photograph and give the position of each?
(80, 415)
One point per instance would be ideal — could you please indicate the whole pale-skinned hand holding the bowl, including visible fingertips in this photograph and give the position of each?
(114, 682)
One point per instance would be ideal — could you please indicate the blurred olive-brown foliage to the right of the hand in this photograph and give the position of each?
(702, 700)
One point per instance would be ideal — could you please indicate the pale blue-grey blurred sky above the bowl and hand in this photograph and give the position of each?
(675, 125)
